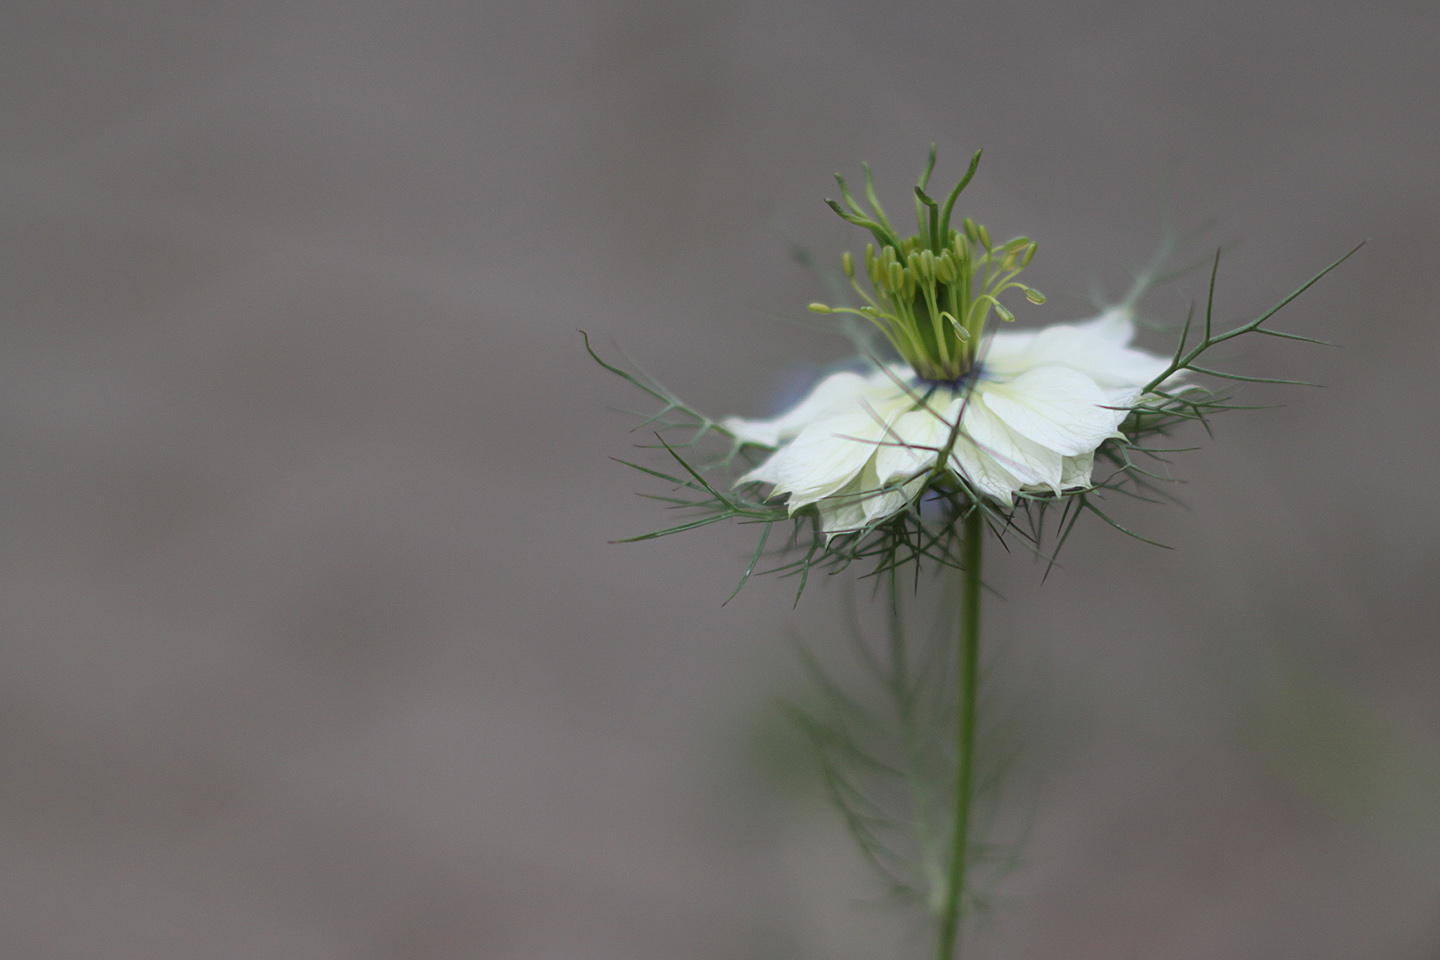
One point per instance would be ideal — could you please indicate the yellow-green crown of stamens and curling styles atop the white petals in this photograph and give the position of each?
(932, 293)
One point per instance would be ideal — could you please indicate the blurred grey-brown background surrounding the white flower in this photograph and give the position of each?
(313, 643)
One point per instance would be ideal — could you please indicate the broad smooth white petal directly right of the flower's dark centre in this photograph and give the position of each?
(1055, 407)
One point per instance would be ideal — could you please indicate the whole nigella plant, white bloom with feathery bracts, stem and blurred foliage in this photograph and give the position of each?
(953, 434)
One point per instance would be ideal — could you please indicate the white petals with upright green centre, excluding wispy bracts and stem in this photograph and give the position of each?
(1002, 412)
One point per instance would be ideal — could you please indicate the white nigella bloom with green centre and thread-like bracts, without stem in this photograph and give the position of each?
(953, 424)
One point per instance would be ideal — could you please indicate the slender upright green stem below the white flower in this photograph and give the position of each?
(967, 687)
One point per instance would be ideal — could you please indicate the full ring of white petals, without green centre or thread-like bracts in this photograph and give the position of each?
(1032, 415)
